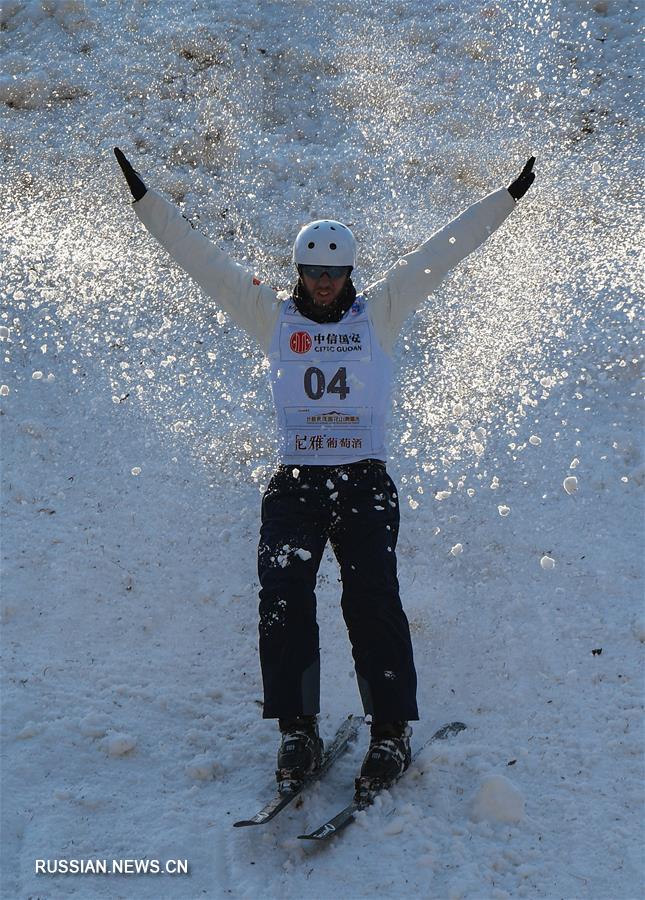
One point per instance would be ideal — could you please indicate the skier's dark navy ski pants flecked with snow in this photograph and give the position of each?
(355, 507)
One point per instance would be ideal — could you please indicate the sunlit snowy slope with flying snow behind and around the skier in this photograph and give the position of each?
(137, 437)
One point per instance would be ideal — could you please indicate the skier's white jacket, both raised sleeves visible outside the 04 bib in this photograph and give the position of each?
(255, 307)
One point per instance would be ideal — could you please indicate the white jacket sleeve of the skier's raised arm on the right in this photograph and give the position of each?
(412, 278)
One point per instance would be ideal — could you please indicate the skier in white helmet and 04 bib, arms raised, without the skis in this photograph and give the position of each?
(330, 354)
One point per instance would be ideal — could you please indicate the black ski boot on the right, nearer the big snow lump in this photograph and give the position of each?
(387, 758)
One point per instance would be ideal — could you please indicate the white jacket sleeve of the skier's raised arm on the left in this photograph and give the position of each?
(253, 306)
